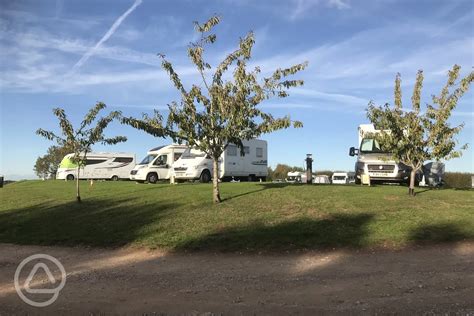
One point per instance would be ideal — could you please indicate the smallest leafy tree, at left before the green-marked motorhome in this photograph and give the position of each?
(82, 139)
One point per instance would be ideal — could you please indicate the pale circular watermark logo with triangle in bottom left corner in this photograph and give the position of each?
(44, 265)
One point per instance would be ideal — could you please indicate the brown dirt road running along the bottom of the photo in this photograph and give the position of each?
(433, 279)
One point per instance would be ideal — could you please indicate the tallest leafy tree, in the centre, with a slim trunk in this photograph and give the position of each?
(221, 109)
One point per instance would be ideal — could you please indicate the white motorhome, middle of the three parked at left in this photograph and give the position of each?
(157, 165)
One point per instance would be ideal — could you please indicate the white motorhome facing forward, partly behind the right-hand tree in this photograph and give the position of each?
(375, 162)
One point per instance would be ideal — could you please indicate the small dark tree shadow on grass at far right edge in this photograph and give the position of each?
(438, 233)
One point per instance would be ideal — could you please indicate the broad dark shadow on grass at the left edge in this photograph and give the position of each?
(94, 222)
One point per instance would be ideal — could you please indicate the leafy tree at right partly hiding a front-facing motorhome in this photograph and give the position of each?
(416, 136)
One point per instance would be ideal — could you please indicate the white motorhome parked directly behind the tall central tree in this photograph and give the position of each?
(252, 166)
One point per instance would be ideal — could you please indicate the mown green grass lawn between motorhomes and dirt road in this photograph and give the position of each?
(254, 216)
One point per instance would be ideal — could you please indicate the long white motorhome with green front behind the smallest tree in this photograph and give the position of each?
(113, 166)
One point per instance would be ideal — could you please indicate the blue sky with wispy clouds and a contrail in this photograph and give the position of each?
(74, 53)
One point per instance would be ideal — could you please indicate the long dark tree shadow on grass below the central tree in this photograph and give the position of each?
(340, 230)
